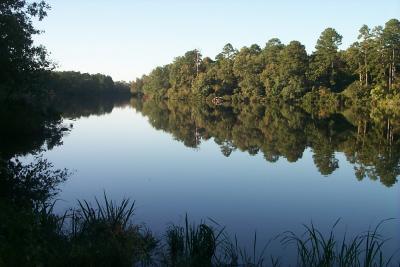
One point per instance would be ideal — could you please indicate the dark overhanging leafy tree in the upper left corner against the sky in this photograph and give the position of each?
(21, 62)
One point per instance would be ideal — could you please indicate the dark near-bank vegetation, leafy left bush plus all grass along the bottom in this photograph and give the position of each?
(103, 233)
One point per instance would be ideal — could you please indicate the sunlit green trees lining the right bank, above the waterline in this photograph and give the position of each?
(364, 74)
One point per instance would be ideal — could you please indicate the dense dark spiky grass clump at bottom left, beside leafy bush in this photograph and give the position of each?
(103, 235)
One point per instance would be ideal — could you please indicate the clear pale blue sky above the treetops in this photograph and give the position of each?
(126, 39)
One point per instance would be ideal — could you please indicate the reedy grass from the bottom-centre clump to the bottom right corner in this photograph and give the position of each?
(206, 245)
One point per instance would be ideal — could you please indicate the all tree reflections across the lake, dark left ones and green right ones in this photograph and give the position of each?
(372, 146)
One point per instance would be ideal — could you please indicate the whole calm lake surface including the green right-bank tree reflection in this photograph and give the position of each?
(251, 168)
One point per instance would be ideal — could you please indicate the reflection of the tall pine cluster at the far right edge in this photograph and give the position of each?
(373, 154)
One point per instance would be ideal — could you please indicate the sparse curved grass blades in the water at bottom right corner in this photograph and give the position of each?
(315, 249)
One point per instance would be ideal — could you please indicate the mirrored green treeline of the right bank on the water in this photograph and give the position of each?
(282, 131)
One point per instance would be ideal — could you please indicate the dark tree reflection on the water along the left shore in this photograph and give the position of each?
(21, 134)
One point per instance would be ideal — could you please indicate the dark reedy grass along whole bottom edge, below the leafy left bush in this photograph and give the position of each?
(104, 234)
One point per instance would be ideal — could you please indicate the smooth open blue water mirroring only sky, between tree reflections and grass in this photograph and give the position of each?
(122, 154)
